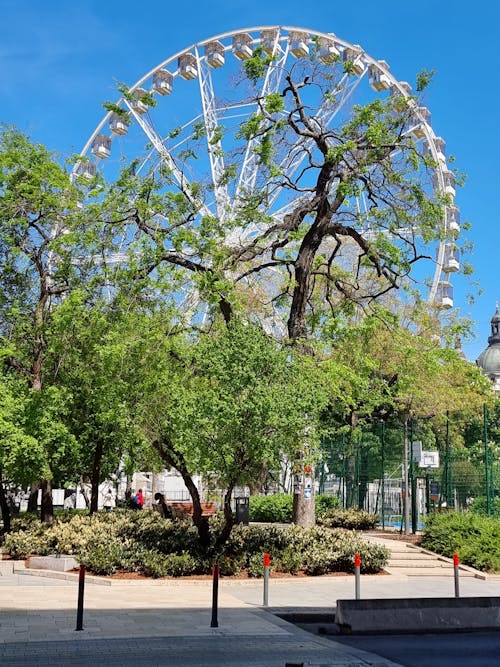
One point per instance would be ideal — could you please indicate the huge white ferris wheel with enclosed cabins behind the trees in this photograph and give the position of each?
(185, 117)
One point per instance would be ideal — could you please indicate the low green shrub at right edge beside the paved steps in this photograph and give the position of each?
(474, 537)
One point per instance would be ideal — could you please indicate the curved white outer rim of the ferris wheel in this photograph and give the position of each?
(284, 33)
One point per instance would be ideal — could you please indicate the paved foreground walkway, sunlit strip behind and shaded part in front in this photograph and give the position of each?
(168, 622)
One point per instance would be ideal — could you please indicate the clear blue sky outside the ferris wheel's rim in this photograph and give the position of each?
(59, 61)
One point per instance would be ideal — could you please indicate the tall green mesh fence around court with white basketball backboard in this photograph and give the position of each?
(403, 471)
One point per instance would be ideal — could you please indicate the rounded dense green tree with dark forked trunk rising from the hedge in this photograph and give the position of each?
(225, 405)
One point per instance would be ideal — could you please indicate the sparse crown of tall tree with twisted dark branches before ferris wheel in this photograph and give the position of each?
(329, 217)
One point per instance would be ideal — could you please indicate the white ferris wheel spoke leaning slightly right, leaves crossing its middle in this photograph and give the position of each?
(271, 84)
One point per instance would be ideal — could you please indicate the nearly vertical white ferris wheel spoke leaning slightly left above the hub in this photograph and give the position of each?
(212, 132)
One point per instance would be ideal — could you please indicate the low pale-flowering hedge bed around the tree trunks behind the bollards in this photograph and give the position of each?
(144, 542)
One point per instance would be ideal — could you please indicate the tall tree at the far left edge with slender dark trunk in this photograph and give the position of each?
(38, 213)
